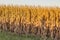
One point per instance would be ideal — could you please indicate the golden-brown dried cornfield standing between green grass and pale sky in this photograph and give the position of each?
(41, 21)
